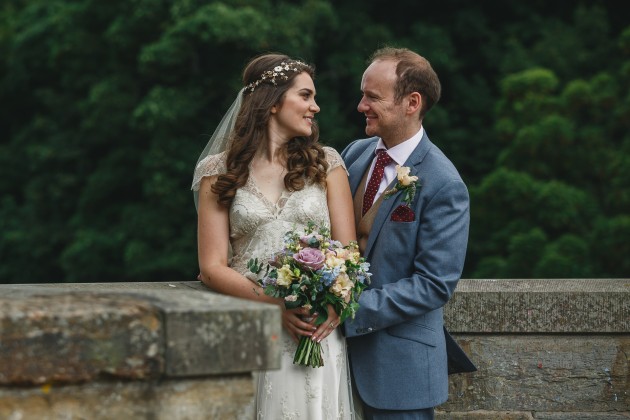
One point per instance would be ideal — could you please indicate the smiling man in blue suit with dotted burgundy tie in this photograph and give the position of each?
(416, 244)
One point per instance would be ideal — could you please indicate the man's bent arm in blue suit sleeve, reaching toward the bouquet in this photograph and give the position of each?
(440, 245)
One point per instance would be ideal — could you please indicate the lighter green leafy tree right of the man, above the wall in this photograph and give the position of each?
(567, 145)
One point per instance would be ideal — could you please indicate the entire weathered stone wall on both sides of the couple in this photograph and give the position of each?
(545, 349)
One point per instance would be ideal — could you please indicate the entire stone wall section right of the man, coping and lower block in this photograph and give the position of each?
(544, 349)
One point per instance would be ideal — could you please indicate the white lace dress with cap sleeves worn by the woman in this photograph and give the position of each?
(257, 227)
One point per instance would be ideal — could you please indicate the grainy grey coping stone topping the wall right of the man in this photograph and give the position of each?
(540, 306)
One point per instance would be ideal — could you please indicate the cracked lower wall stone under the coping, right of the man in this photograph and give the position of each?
(544, 373)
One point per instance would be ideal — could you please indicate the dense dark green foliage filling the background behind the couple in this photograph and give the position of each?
(106, 105)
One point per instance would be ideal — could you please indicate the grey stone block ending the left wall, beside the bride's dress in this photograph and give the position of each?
(218, 334)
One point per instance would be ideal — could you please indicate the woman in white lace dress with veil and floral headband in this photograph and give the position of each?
(262, 174)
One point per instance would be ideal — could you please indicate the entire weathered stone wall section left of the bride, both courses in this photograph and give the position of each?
(159, 351)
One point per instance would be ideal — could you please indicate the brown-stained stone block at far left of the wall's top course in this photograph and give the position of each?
(64, 337)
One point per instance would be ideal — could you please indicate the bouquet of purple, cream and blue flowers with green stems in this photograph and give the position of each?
(313, 271)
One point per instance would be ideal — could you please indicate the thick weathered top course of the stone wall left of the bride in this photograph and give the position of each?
(77, 332)
